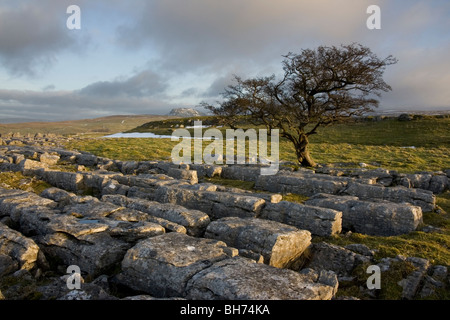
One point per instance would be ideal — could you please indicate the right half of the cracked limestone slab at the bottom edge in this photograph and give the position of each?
(242, 279)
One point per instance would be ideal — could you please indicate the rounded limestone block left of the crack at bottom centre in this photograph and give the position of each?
(161, 266)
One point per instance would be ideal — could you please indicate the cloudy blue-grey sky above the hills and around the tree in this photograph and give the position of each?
(149, 56)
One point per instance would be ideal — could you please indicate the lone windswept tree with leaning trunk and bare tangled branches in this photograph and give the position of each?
(320, 87)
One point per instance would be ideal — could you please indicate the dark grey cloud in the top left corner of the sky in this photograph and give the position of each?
(32, 33)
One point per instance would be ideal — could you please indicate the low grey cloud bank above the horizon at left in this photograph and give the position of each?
(142, 93)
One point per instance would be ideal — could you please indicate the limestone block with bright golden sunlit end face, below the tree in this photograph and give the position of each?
(280, 245)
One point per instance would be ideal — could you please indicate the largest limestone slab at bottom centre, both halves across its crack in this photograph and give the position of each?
(180, 265)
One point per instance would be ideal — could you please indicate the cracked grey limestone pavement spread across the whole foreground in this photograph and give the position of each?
(156, 230)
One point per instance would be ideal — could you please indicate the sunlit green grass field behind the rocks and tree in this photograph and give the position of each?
(410, 146)
